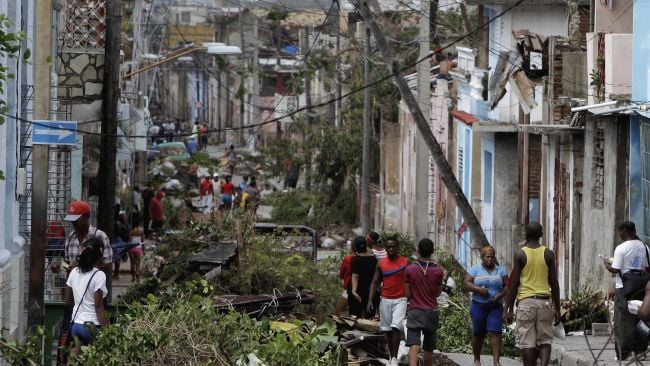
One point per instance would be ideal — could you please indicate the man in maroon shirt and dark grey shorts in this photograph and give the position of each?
(423, 286)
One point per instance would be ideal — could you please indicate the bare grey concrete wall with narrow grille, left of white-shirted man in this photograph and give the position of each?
(598, 225)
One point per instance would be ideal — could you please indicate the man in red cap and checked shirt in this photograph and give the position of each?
(79, 215)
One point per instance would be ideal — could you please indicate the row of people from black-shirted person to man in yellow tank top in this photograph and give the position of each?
(410, 290)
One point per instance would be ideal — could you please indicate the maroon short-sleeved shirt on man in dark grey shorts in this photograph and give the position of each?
(424, 287)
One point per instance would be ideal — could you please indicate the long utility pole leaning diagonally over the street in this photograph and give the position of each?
(446, 172)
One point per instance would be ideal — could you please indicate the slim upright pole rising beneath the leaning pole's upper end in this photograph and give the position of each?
(365, 162)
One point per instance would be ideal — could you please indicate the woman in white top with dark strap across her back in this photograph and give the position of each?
(86, 290)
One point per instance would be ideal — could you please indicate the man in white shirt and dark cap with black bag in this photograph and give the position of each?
(630, 264)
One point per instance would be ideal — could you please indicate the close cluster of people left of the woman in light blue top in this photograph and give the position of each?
(371, 270)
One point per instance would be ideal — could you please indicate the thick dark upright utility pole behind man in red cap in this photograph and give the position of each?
(111, 93)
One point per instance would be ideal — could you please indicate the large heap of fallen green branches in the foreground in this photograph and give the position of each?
(166, 330)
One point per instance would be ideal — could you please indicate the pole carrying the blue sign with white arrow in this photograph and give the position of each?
(40, 155)
